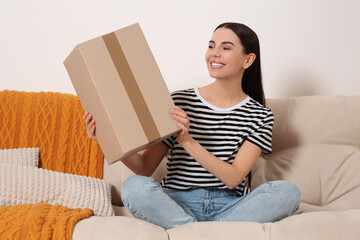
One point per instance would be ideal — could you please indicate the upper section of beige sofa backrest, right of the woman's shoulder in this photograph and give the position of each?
(315, 120)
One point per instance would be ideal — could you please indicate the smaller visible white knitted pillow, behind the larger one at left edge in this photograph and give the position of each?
(20, 156)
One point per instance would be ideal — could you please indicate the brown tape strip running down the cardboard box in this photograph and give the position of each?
(131, 87)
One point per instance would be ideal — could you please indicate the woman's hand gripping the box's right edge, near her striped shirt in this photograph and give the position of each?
(184, 123)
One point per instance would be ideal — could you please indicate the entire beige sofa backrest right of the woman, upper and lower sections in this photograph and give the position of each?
(316, 145)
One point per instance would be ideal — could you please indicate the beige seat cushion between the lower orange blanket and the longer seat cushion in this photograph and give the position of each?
(117, 228)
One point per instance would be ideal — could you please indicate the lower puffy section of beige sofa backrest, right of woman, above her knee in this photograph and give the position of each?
(327, 174)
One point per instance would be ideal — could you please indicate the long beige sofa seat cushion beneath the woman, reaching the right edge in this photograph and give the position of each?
(315, 225)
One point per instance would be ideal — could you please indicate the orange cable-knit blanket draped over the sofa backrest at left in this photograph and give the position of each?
(53, 122)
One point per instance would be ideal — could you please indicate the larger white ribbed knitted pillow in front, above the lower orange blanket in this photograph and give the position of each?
(24, 184)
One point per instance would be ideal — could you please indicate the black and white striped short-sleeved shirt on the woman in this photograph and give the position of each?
(221, 132)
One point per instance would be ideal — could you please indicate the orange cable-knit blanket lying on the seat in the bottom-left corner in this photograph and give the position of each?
(39, 221)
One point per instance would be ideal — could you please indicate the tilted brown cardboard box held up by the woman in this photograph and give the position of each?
(118, 81)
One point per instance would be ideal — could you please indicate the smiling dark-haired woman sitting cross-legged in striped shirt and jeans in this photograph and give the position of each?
(224, 129)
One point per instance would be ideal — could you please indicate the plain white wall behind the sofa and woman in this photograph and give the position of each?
(308, 47)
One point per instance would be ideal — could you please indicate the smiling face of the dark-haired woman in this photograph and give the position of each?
(225, 57)
